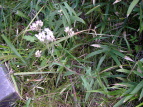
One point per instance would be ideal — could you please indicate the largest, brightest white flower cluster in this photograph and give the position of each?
(46, 35)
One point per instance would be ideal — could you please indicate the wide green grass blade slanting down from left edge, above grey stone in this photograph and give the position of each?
(13, 48)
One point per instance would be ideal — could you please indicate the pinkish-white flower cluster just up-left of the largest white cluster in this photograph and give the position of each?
(36, 25)
